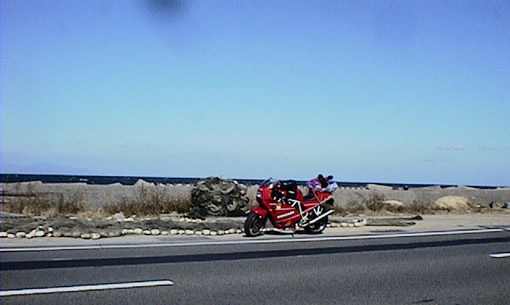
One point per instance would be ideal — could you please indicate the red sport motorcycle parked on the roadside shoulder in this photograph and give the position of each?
(283, 203)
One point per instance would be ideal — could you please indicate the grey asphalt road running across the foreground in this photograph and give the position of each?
(280, 269)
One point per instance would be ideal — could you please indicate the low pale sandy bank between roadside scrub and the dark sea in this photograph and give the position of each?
(94, 197)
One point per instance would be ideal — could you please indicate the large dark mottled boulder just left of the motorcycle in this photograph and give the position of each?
(219, 197)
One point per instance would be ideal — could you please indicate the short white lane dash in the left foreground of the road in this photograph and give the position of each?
(84, 288)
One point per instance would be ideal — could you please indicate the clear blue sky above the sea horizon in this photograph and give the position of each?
(369, 91)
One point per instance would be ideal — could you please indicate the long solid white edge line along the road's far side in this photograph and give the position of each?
(249, 241)
